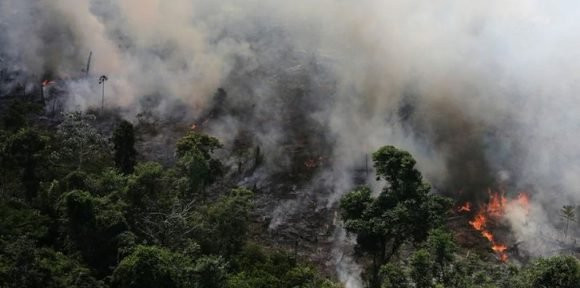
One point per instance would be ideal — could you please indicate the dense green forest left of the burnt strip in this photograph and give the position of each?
(78, 210)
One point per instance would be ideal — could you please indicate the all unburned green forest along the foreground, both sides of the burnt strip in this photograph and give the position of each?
(80, 208)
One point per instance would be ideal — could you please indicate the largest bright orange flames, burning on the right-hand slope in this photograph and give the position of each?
(494, 210)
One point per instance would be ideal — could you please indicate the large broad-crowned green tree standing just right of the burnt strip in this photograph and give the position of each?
(403, 211)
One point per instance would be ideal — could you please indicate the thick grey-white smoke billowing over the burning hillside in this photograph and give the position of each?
(482, 93)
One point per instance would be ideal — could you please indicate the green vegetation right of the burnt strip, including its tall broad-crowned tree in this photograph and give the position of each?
(401, 234)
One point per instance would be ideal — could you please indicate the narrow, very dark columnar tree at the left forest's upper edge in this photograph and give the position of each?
(124, 145)
